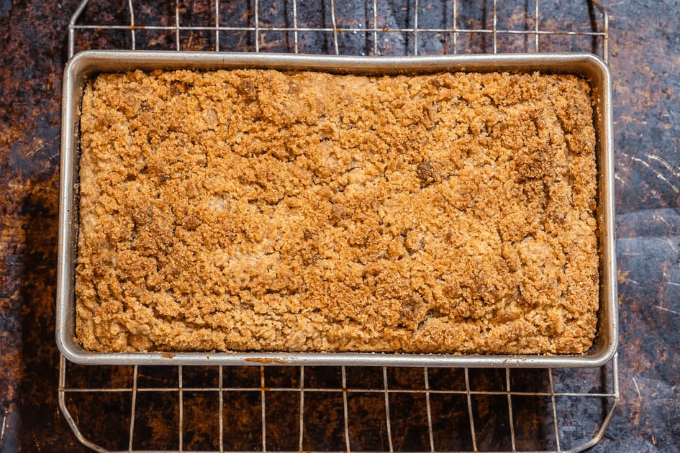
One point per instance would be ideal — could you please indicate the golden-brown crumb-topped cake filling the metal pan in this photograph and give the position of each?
(260, 210)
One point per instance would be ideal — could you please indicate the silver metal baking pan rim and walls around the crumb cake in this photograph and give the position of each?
(87, 64)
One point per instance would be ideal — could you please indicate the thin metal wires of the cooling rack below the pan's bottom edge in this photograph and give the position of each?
(611, 397)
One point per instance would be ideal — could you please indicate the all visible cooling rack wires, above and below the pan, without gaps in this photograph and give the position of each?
(612, 397)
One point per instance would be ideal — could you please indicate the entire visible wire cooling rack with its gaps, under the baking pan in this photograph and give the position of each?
(295, 409)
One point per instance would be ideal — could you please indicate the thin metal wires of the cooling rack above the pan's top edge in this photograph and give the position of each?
(455, 31)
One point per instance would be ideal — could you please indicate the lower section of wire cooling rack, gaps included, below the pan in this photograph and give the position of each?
(337, 409)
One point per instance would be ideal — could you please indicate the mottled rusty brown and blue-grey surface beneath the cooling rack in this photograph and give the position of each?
(645, 57)
